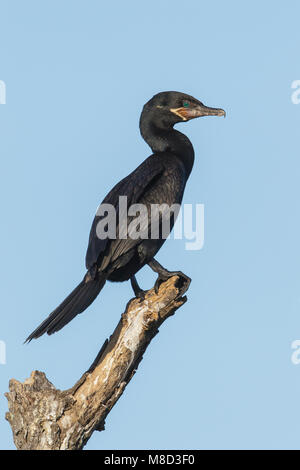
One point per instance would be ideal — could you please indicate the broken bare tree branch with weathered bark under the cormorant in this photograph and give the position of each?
(45, 418)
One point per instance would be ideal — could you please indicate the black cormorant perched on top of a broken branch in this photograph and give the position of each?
(160, 179)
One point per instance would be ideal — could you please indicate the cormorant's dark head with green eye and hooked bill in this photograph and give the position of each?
(170, 107)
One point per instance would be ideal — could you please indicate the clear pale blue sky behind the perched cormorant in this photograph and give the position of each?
(219, 375)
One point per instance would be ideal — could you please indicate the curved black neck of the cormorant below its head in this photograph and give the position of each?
(166, 139)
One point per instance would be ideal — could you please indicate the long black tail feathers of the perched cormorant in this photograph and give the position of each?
(76, 302)
